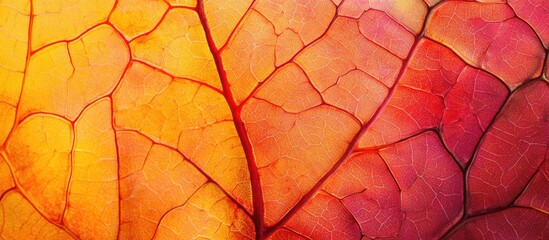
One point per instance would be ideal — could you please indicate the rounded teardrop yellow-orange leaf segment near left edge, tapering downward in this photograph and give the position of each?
(39, 154)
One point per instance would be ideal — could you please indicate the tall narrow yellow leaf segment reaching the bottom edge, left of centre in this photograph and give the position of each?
(93, 188)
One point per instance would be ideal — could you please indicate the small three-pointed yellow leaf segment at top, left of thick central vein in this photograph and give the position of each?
(178, 46)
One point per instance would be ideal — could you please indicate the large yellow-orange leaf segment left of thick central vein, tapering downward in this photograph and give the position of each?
(188, 116)
